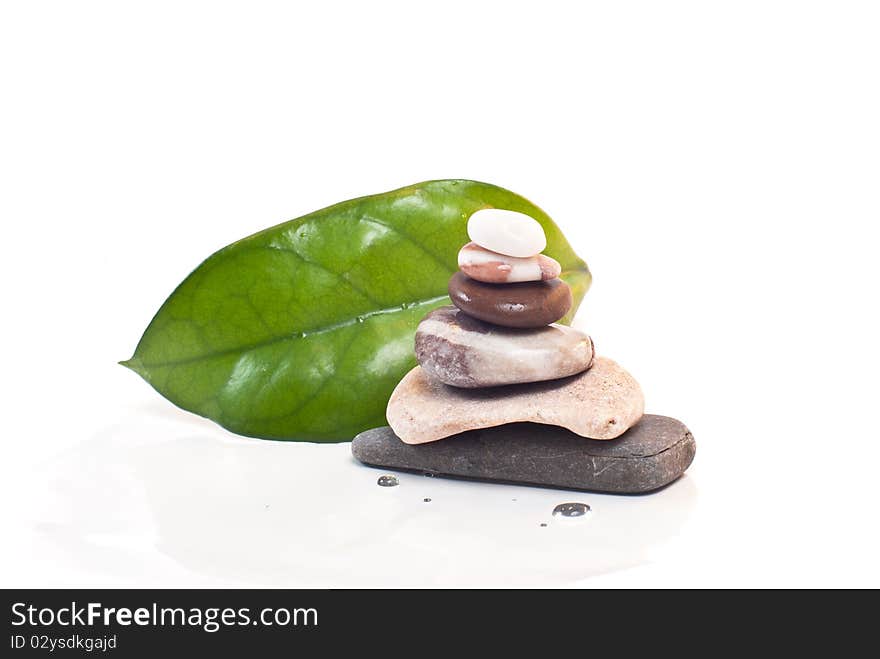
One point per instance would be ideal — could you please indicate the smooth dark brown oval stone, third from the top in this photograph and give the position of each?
(526, 304)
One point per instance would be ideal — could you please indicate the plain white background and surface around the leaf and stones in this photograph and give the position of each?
(716, 163)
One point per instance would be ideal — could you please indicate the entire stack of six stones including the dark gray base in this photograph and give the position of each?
(496, 362)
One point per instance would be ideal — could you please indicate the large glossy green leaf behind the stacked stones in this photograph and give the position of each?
(302, 331)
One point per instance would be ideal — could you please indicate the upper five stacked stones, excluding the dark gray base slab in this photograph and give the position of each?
(497, 356)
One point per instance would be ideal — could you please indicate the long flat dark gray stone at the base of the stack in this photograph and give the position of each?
(651, 454)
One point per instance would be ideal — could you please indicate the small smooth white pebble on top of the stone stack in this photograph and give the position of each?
(507, 232)
